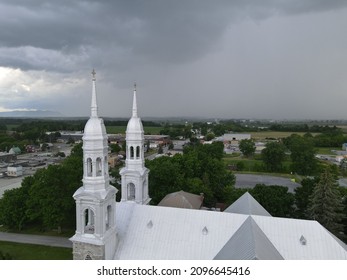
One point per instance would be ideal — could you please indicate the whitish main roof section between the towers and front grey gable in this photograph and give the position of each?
(161, 233)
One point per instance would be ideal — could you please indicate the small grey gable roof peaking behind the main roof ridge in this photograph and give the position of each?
(247, 205)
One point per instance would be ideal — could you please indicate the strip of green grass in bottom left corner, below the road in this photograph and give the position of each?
(20, 251)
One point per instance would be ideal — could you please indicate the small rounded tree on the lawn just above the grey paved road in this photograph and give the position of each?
(273, 156)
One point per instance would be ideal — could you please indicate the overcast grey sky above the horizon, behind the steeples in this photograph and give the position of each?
(277, 59)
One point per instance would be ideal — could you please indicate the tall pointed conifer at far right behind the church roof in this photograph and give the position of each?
(326, 203)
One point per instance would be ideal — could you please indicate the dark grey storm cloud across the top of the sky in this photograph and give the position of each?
(162, 31)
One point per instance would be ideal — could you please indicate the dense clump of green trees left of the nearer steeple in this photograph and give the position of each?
(46, 197)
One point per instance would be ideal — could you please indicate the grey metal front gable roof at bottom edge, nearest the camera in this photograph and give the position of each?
(249, 243)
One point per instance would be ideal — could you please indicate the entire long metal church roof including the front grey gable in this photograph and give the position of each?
(153, 232)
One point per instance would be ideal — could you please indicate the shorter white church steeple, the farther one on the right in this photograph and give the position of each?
(135, 174)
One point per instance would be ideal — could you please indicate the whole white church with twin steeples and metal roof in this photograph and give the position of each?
(133, 230)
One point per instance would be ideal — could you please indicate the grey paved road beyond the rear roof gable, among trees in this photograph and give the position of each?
(250, 180)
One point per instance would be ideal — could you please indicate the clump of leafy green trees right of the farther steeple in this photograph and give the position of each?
(199, 169)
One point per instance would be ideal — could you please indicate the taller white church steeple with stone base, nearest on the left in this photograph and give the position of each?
(95, 236)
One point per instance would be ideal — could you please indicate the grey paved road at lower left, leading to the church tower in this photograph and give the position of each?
(36, 239)
